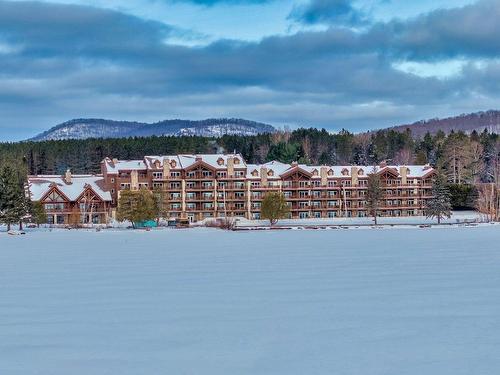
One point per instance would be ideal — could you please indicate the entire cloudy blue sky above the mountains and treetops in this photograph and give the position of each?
(353, 64)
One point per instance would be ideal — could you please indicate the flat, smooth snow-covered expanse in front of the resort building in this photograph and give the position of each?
(202, 301)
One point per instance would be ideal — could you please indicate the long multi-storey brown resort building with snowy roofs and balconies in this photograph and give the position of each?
(196, 187)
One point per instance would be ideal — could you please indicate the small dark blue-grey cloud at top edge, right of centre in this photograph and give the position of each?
(336, 12)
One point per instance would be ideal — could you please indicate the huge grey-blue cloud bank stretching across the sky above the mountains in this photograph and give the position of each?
(64, 61)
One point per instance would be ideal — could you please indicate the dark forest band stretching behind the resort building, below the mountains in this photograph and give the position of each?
(466, 158)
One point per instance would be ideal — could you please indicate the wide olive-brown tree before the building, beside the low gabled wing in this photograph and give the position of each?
(136, 206)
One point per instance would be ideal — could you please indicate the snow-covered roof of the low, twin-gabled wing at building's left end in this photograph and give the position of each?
(38, 186)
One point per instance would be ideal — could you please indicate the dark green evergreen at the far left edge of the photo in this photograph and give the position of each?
(12, 198)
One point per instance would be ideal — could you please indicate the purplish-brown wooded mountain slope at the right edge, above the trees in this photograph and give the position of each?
(467, 123)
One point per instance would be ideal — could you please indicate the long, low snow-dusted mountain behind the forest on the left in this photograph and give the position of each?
(99, 128)
